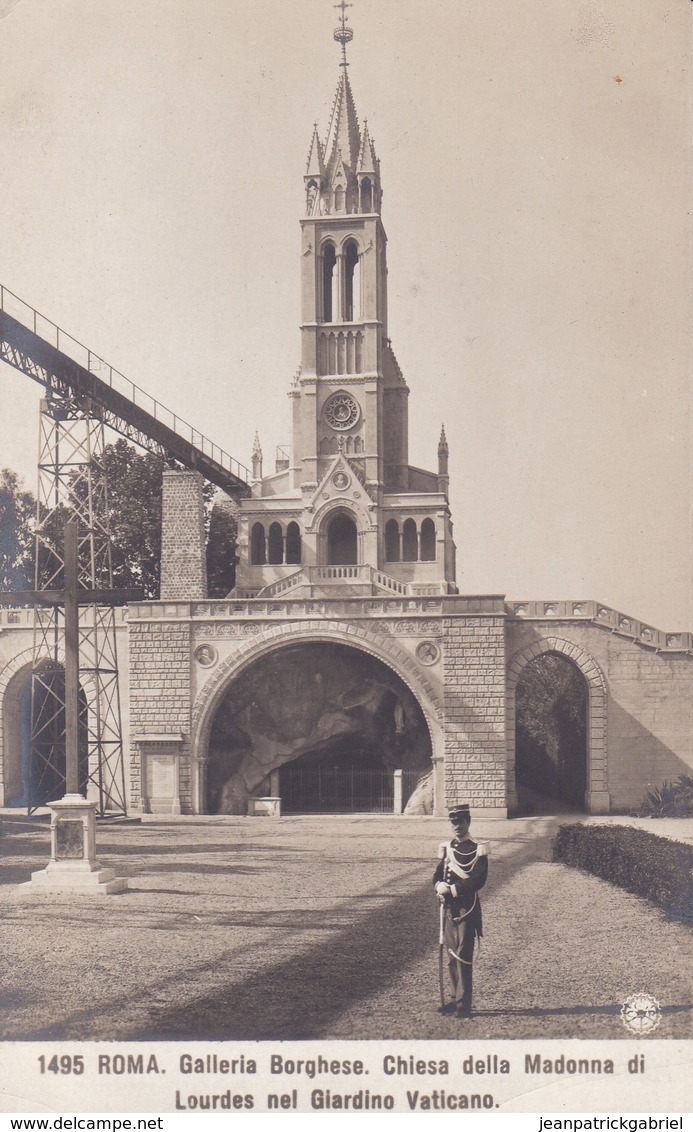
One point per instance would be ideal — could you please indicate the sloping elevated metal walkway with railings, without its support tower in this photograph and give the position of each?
(41, 350)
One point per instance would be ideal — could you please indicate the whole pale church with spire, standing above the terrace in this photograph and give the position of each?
(346, 514)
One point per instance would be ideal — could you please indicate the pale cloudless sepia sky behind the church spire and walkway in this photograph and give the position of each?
(536, 168)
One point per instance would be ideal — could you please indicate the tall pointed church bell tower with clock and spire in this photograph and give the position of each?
(350, 382)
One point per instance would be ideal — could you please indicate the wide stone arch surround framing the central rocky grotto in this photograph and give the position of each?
(349, 636)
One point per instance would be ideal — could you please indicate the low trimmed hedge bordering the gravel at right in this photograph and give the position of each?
(653, 868)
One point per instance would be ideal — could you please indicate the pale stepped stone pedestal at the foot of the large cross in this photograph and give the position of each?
(73, 867)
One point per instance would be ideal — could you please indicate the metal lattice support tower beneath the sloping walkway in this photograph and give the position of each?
(73, 486)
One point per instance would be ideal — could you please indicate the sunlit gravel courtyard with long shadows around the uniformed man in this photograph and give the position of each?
(323, 928)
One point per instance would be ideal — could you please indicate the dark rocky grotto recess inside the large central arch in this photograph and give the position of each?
(324, 727)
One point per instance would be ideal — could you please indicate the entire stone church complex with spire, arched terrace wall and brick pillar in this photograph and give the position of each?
(346, 641)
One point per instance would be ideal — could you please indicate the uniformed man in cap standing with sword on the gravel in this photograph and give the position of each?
(461, 872)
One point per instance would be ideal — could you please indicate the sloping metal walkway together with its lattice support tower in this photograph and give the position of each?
(84, 396)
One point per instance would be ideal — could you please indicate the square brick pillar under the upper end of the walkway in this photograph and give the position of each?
(184, 568)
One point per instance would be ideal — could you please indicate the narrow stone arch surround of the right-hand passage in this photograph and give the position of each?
(597, 799)
